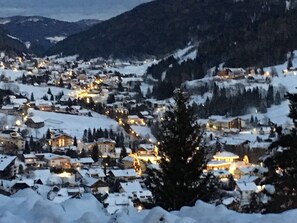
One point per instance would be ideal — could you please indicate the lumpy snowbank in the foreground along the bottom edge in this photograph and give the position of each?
(26, 206)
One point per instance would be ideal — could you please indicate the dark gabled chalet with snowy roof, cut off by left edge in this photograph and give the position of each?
(7, 167)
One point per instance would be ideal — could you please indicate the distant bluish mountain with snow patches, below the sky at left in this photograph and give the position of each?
(40, 33)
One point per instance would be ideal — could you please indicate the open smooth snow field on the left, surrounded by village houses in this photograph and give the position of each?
(73, 124)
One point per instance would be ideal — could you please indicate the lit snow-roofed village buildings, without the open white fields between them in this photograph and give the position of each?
(64, 167)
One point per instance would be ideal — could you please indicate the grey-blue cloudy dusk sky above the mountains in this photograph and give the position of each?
(68, 10)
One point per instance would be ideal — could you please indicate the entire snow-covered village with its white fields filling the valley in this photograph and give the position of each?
(71, 127)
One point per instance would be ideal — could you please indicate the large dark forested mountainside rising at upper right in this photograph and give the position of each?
(245, 32)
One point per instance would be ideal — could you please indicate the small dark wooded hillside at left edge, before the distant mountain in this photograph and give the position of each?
(9, 45)
